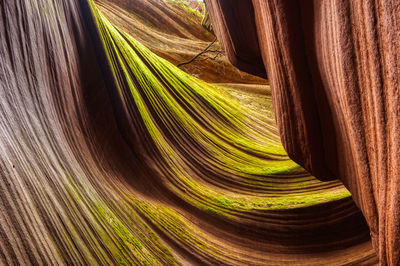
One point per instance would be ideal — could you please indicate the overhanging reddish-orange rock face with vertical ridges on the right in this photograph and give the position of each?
(334, 70)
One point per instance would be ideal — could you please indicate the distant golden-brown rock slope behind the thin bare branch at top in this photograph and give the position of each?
(172, 30)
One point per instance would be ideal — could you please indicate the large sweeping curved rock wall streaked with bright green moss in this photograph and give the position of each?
(112, 155)
